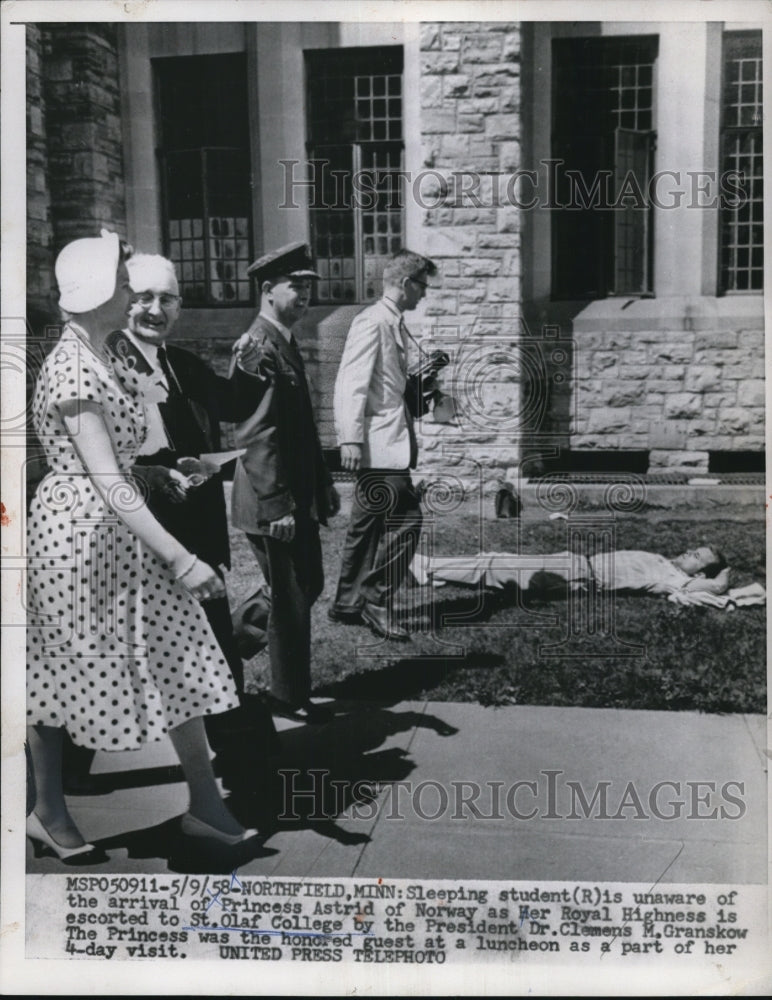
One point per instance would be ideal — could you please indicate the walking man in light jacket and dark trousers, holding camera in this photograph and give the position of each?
(375, 432)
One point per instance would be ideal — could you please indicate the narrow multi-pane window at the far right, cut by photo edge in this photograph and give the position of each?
(742, 223)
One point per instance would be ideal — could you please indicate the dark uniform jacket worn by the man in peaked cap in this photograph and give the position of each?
(283, 470)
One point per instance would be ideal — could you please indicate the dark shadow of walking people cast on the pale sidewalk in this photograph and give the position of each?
(325, 774)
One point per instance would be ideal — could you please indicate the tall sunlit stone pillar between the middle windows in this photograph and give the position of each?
(470, 138)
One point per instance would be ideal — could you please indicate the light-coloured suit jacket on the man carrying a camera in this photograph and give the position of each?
(369, 396)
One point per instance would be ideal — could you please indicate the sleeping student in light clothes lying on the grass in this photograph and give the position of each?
(701, 569)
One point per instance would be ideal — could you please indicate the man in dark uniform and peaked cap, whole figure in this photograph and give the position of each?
(282, 489)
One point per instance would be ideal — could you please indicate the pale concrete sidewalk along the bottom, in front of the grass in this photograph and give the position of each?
(392, 794)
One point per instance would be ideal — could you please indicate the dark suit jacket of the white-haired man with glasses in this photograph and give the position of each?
(193, 426)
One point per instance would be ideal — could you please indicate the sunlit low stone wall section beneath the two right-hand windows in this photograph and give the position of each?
(678, 395)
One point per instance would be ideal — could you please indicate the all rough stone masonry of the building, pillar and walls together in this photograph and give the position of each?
(678, 386)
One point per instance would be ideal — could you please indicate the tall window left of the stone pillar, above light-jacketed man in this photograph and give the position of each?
(355, 149)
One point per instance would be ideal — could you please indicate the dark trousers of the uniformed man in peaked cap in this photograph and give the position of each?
(294, 573)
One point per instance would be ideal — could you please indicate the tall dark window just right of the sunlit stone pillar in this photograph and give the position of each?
(603, 116)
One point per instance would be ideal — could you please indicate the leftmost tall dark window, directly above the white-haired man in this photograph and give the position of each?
(205, 172)
